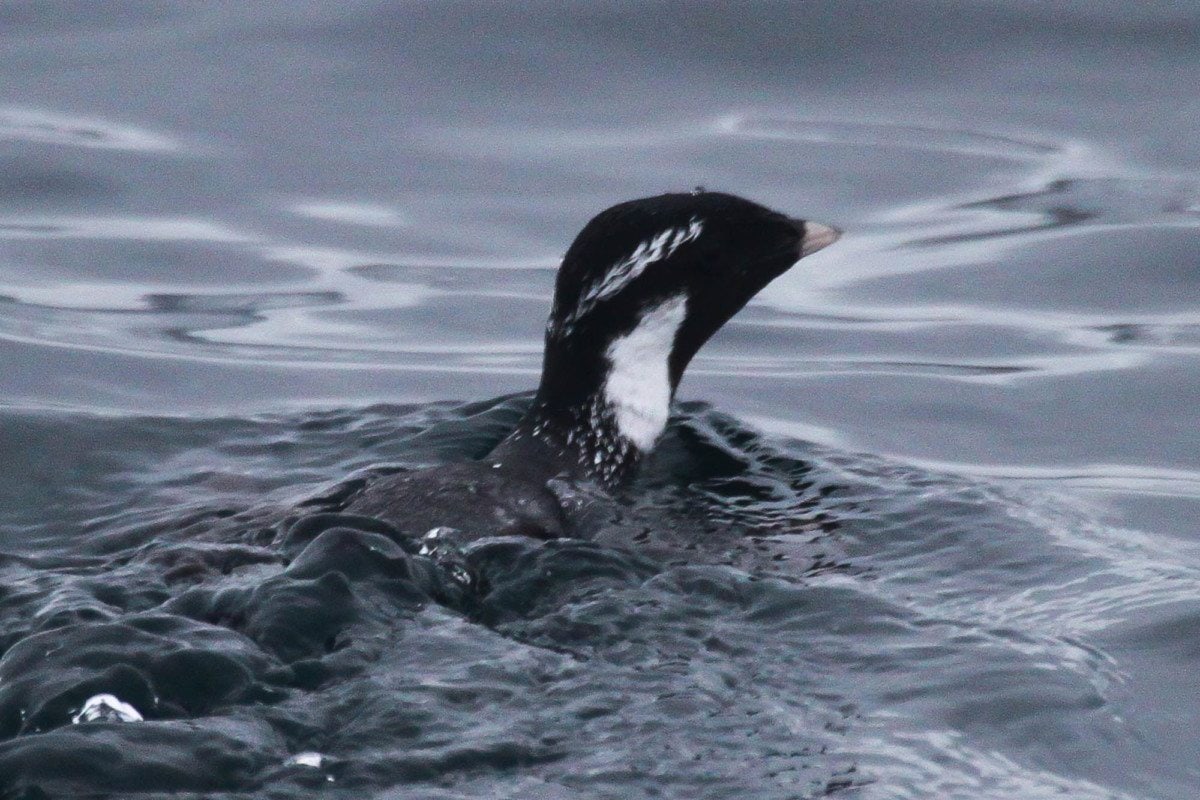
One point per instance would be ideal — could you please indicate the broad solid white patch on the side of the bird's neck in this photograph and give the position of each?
(639, 384)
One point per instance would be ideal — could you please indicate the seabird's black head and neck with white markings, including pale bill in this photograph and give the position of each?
(643, 287)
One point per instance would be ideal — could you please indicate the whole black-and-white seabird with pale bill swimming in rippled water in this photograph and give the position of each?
(644, 286)
